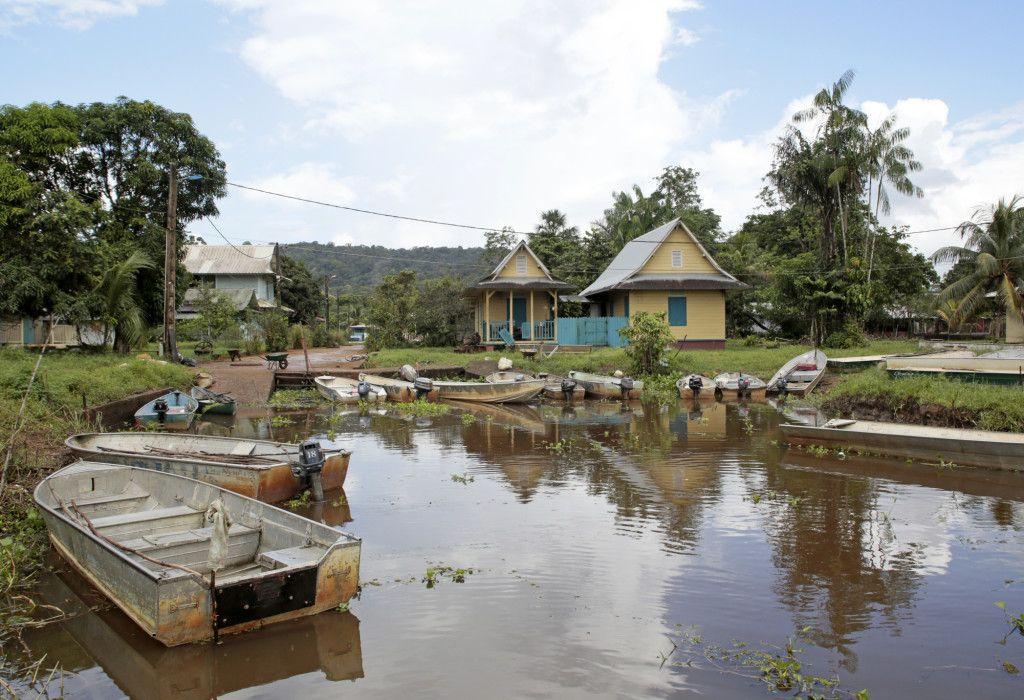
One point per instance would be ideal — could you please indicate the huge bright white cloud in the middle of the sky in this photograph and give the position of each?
(486, 114)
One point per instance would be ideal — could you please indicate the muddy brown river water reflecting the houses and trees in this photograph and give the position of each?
(600, 538)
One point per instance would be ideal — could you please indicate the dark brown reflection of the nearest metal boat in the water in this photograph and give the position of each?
(143, 668)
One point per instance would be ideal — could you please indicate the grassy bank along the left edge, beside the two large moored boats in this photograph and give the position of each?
(53, 412)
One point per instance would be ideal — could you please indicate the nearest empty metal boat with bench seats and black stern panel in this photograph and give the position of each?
(143, 539)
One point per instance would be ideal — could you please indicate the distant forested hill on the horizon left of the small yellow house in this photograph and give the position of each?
(365, 266)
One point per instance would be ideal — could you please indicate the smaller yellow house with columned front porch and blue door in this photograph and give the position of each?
(519, 300)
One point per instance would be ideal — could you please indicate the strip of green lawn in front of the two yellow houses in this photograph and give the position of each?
(762, 363)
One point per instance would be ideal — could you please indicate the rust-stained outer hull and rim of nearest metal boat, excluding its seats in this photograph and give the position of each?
(176, 607)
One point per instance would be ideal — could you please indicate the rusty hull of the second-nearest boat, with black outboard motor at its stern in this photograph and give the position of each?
(271, 484)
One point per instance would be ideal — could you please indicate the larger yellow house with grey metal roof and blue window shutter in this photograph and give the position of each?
(667, 271)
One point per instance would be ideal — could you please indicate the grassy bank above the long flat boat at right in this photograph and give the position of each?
(930, 401)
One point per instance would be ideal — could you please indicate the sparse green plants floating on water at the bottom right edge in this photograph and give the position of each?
(779, 669)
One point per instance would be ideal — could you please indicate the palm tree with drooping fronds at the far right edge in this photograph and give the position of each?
(995, 242)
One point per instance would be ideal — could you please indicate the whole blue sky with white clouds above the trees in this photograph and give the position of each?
(488, 113)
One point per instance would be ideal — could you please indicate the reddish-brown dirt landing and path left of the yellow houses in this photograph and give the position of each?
(249, 380)
